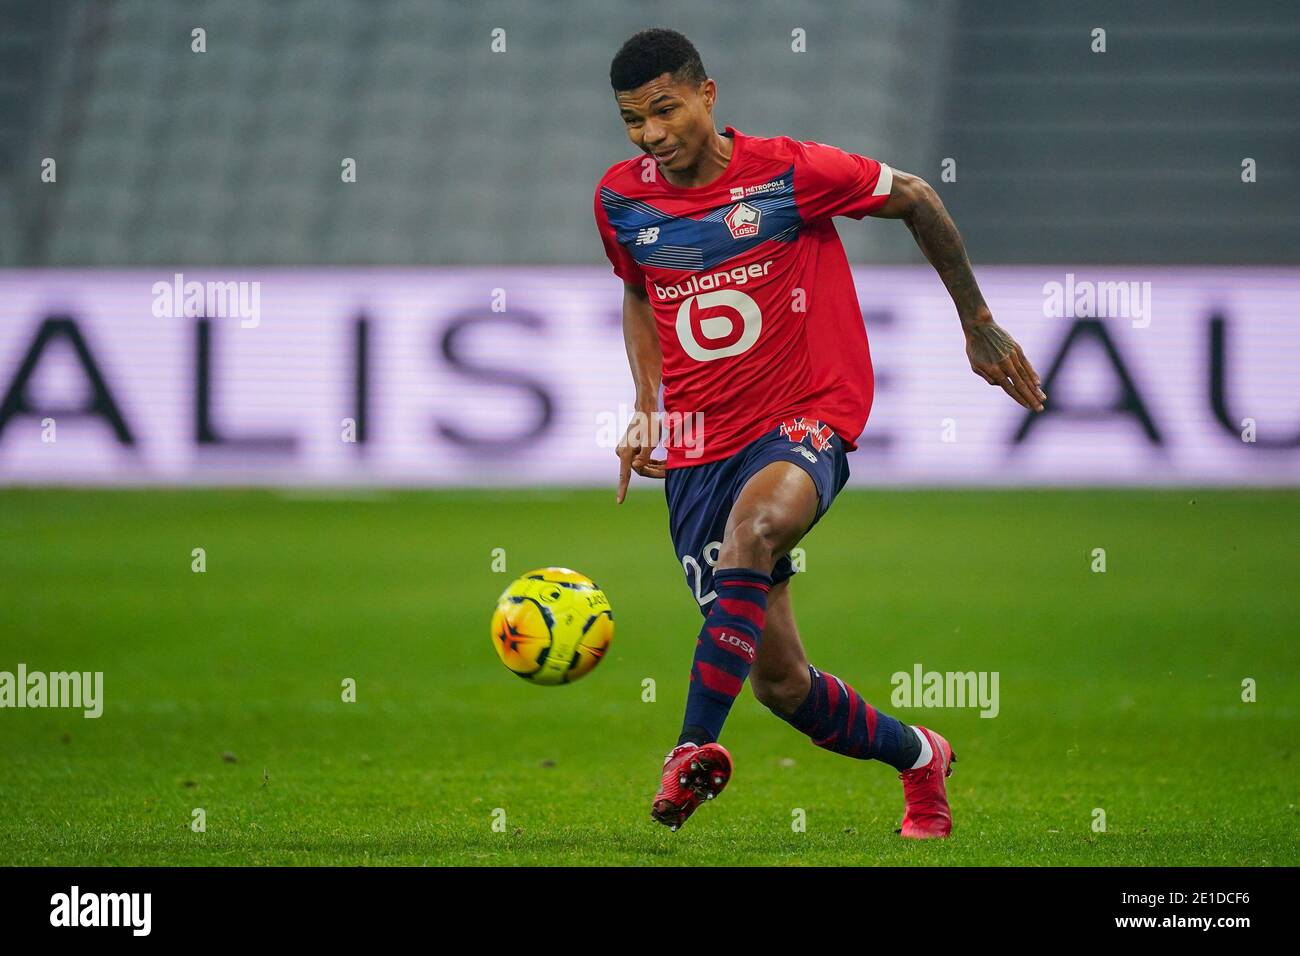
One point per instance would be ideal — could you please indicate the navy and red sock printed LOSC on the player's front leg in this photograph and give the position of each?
(725, 651)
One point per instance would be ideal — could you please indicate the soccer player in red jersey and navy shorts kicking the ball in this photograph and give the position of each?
(740, 304)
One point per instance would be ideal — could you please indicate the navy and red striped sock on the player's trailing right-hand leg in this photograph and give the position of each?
(839, 720)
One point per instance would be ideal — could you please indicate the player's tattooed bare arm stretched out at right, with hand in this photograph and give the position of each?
(994, 354)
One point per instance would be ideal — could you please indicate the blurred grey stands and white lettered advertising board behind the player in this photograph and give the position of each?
(478, 135)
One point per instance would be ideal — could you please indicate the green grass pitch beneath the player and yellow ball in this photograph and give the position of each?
(1120, 691)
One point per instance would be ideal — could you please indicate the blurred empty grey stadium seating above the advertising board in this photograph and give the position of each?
(466, 158)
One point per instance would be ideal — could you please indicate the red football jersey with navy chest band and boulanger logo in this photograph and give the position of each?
(755, 304)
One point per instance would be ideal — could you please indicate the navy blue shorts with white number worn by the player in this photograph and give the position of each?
(701, 496)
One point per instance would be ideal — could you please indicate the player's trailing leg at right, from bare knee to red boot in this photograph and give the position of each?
(786, 685)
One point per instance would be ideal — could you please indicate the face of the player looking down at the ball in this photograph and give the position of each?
(670, 120)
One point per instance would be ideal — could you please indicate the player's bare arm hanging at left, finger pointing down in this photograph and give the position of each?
(647, 364)
